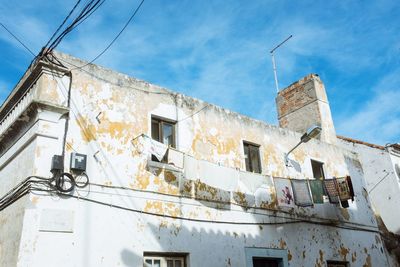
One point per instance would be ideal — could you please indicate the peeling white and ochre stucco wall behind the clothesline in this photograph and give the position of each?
(136, 207)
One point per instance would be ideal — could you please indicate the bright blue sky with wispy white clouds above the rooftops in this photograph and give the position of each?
(218, 51)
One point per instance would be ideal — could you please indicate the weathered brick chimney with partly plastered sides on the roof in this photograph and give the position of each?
(303, 104)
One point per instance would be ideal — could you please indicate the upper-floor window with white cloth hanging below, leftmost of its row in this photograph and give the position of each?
(163, 131)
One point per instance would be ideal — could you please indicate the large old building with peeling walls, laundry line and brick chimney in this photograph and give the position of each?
(217, 194)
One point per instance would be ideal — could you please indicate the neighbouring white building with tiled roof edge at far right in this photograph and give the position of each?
(381, 167)
